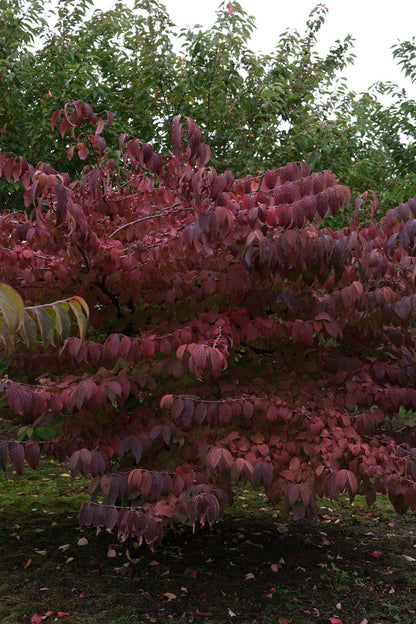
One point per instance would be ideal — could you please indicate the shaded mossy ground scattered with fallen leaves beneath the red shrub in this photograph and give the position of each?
(355, 564)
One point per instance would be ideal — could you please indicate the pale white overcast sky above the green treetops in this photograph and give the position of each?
(375, 25)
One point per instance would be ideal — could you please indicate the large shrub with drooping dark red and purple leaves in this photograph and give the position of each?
(232, 337)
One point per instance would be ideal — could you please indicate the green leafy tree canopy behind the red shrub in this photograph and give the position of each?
(255, 110)
